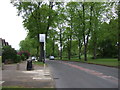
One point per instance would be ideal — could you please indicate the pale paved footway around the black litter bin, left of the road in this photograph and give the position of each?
(16, 75)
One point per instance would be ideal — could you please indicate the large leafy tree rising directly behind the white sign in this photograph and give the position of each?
(36, 21)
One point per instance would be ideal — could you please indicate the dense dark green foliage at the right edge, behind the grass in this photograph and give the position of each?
(106, 39)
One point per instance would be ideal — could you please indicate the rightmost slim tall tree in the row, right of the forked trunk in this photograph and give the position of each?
(98, 11)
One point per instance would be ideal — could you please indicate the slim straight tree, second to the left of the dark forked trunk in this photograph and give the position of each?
(70, 11)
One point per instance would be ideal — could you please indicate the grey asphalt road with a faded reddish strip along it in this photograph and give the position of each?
(80, 75)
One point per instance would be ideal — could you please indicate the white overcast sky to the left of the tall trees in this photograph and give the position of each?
(11, 28)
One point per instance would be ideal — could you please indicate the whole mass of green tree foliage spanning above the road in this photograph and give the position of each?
(70, 27)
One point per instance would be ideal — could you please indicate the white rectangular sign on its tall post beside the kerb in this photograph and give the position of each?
(42, 47)
